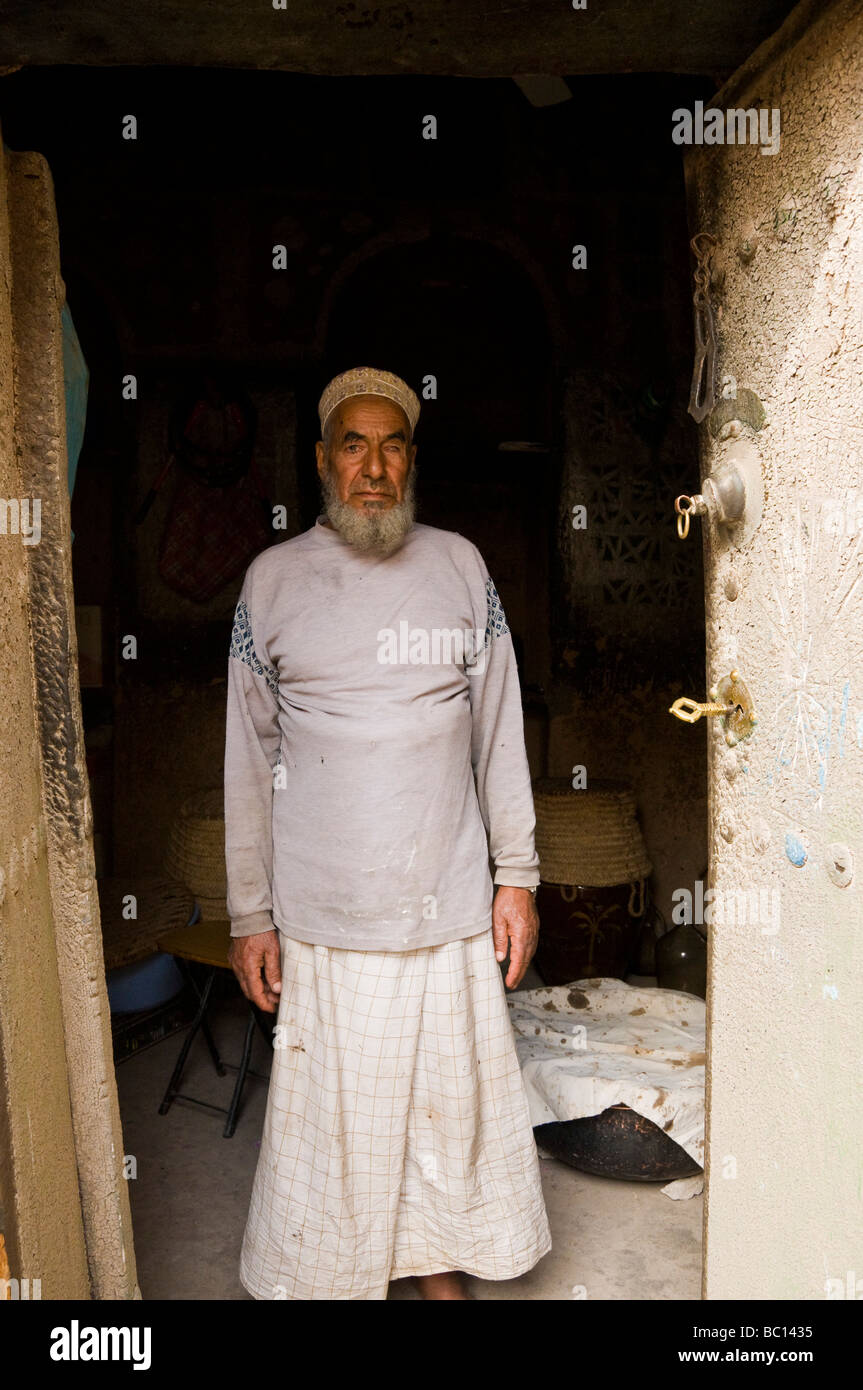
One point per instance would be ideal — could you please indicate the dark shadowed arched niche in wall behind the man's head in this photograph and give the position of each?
(469, 308)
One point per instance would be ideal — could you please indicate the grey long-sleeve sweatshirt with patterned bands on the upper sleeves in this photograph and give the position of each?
(376, 774)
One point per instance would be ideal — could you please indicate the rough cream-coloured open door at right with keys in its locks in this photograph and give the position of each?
(784, 1200)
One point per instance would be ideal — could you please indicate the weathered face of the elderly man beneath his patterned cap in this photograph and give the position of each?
(368, 452)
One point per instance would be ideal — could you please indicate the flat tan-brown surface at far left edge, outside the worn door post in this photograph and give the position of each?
(38, 1178)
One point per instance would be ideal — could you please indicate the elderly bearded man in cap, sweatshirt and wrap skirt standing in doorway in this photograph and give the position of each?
(380, 847)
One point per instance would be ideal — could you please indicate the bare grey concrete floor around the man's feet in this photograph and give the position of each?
(190, 1200)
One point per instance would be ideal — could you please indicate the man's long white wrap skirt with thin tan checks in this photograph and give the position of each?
(398, 1138)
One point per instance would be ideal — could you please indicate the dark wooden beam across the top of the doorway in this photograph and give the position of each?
(462, 38)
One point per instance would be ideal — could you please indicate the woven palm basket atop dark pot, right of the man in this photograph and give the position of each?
(591, 837)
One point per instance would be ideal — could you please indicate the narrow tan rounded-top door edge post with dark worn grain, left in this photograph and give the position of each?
(102, 1199)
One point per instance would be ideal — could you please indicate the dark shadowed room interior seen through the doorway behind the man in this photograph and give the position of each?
(274, 251)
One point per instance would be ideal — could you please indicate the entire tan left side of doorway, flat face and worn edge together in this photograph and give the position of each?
(66, 1206)
